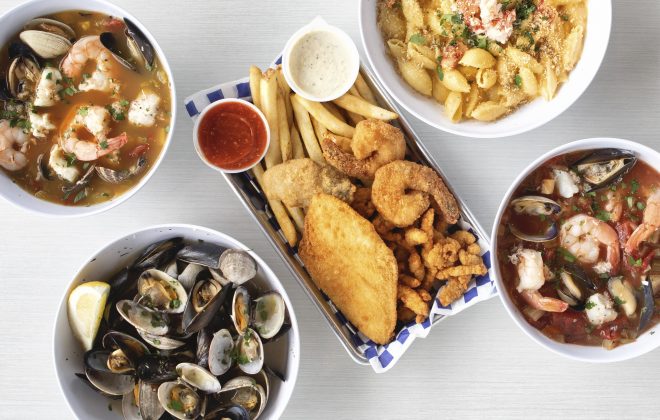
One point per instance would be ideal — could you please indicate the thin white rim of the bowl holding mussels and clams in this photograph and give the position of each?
(61, 308)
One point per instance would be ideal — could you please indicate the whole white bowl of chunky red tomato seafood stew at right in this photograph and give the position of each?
(576, 258)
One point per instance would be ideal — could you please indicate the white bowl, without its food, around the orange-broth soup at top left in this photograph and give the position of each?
(10, 23)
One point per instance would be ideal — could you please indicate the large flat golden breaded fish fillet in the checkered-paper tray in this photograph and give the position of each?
(349, 261)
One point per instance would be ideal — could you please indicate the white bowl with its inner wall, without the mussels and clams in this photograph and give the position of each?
(282, 355)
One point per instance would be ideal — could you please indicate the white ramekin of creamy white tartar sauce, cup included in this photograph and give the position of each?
(320, 62)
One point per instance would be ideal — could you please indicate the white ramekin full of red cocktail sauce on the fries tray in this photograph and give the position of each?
(231, 135)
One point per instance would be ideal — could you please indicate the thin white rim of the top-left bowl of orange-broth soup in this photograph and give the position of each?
(81, 211)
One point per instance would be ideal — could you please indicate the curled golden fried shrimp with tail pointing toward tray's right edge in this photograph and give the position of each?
(401, 192)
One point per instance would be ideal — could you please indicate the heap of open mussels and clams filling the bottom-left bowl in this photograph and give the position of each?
(183, 331)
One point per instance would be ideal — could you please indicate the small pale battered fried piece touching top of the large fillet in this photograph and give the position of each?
(295, 182)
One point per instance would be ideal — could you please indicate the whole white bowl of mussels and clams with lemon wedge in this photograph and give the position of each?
(176, 321)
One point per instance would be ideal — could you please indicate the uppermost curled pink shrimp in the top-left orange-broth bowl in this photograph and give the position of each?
(90, 48)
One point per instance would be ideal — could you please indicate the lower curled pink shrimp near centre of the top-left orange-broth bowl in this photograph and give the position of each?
(96, 120)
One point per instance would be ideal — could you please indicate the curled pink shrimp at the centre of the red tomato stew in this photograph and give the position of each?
(582, 236)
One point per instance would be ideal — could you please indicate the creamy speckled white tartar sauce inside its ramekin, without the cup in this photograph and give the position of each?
(321, 64)
